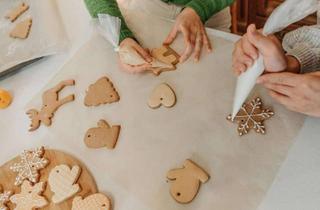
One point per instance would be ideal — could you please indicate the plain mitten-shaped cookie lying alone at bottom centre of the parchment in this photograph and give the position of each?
(185, 182)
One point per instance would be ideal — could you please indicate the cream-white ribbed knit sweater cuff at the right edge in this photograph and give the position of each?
(304, 45)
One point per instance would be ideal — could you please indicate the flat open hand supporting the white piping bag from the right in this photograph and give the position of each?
(297, 92)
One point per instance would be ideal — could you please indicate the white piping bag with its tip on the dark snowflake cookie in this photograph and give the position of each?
(287, 13)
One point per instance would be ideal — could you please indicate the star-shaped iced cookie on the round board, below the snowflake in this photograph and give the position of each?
(30, 197)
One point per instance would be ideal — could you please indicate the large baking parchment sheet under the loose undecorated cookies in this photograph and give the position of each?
(152, 141)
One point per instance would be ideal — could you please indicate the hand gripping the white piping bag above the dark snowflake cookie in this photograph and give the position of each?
(248, 47)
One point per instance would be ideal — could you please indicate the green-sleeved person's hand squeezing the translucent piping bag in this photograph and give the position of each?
(131, 43)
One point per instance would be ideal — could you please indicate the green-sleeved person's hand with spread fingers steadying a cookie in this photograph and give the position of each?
(195, 36)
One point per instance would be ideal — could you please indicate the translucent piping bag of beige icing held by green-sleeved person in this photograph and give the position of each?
(109, 27)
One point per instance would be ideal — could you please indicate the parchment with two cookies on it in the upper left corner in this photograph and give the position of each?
(47, 35)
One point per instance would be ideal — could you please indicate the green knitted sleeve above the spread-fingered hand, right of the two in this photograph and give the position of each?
(206, 8)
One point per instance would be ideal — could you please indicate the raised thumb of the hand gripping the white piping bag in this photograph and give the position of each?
(258, 39)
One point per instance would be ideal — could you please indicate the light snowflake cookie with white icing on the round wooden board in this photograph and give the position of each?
(30, 164)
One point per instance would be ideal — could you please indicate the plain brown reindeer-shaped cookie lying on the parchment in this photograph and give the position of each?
(50, 104)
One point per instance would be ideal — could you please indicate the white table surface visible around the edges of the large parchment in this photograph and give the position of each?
(296, 187)
